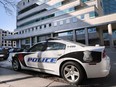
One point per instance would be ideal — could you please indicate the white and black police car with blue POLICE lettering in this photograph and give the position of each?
(73, 61)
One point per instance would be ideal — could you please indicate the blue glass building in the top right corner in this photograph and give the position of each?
(109, 6)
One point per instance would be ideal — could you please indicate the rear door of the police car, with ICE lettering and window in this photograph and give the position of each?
(53, 51)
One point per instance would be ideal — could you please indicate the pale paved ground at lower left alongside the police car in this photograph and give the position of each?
(18, 79)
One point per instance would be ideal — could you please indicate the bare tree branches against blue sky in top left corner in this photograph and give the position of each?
(9, 5)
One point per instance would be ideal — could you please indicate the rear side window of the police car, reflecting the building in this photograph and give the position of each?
(55, 46)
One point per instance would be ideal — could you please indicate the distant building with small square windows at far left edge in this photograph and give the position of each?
(6, 43)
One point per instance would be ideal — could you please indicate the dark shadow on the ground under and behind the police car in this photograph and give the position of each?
(108, 81)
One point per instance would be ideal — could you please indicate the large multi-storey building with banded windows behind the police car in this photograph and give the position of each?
(76, 20)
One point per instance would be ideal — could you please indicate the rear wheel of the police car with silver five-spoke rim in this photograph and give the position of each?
(72, 72)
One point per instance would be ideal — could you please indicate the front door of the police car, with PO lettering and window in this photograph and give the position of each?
(34, 55)
